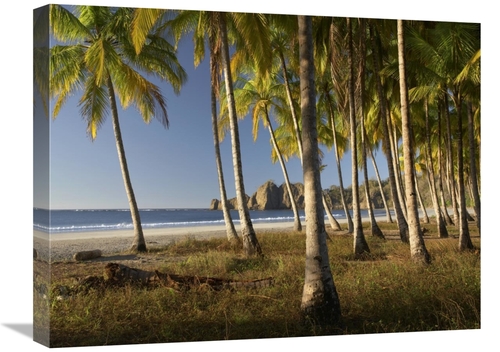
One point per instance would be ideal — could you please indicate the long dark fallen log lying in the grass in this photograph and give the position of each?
(121, 275)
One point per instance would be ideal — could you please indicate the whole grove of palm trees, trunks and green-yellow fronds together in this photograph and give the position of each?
(409, 88)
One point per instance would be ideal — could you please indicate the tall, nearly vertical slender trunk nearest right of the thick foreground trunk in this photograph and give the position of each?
(360, 244)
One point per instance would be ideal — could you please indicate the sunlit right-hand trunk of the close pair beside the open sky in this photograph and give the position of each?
(250, 243)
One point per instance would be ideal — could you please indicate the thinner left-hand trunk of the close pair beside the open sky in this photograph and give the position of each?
(228, 221)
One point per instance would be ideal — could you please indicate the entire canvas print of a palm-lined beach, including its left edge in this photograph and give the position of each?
(209, 176)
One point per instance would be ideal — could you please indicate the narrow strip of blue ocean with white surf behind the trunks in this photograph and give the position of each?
(86, 220)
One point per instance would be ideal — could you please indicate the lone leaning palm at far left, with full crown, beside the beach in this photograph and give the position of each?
(101, 59)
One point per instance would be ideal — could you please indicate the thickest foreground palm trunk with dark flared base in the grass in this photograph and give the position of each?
(320, 301)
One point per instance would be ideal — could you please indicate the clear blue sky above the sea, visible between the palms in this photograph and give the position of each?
(169, 168)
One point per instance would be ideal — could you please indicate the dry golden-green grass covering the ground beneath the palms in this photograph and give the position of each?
(385, 292)
